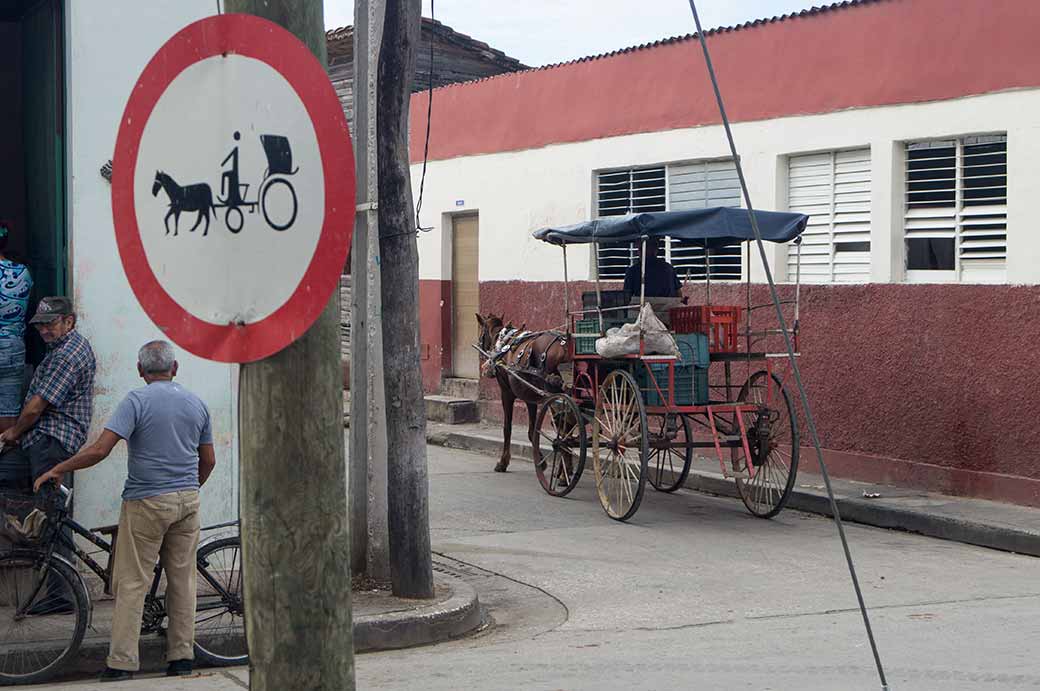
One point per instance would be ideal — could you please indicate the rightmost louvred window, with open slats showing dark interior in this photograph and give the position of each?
(956, 220)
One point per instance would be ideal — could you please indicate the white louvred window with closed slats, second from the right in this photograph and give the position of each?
(834, 190)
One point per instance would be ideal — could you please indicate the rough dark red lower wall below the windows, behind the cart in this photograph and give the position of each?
(932, 387)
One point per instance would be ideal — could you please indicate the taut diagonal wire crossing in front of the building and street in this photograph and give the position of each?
(811, 422)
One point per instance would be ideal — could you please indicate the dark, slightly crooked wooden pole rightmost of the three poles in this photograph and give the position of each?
(411, 568)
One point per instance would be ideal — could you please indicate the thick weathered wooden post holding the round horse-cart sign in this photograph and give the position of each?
(296, 533)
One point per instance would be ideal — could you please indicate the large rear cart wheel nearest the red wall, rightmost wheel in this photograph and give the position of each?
(773, 439)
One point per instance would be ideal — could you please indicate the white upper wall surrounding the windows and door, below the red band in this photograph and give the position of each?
(517, 193)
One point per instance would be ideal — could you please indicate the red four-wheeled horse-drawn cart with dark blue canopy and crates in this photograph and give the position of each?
(643, 416)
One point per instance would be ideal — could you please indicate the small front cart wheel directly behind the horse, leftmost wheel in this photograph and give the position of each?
(561, 451)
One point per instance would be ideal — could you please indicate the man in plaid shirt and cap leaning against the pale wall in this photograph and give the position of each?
(58, 411)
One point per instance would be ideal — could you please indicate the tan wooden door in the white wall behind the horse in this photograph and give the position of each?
(465, 297)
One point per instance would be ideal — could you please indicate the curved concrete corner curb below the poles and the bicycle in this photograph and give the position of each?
(455, 618)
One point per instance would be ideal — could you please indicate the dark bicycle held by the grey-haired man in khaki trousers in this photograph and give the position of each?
(46, 606)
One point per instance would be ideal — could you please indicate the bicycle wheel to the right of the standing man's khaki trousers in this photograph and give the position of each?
(220, 612)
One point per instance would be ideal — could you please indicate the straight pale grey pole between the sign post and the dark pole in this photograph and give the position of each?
(369, 421)
